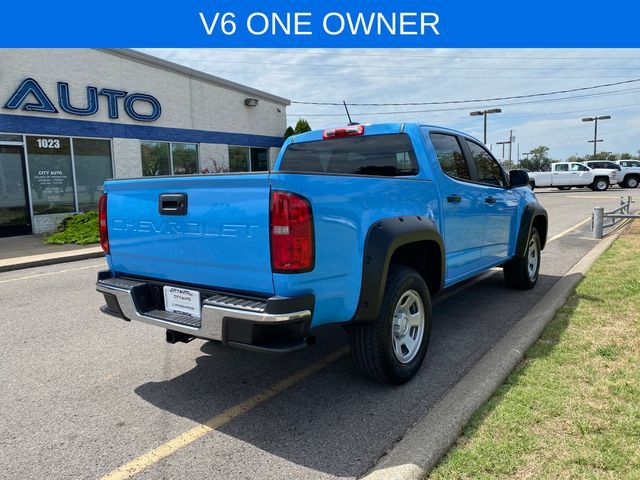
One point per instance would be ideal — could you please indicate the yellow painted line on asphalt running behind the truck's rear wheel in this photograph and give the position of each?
(148, 459)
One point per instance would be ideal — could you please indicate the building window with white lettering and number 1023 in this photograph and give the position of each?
(51, 175)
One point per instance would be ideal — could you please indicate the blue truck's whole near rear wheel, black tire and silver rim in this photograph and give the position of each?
(391, 349)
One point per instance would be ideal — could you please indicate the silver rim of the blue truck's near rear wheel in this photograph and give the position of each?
(407, 327)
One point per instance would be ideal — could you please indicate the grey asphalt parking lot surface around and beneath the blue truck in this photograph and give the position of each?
(84, 394)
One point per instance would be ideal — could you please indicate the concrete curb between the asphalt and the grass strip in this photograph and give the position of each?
(428, 441)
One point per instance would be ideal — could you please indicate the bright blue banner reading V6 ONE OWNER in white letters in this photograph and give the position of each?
(310, 23)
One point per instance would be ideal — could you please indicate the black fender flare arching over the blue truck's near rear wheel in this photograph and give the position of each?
(383, 239)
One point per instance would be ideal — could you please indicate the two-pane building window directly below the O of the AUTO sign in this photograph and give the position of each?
(159, 158)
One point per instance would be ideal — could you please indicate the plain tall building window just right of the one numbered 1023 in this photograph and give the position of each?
(93, 166)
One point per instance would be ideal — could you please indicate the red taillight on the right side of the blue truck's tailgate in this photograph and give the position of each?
(291, 229)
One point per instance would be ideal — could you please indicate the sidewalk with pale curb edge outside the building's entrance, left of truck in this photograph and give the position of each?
(30, 251)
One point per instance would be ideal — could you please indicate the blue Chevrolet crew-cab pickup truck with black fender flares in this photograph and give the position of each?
(357, 226)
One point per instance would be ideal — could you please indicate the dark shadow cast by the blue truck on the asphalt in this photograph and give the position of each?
(334, 422)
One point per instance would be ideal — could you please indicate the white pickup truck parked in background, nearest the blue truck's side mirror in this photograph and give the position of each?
(565, 175)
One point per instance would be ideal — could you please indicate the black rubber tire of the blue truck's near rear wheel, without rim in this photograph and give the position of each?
(372, 343)
